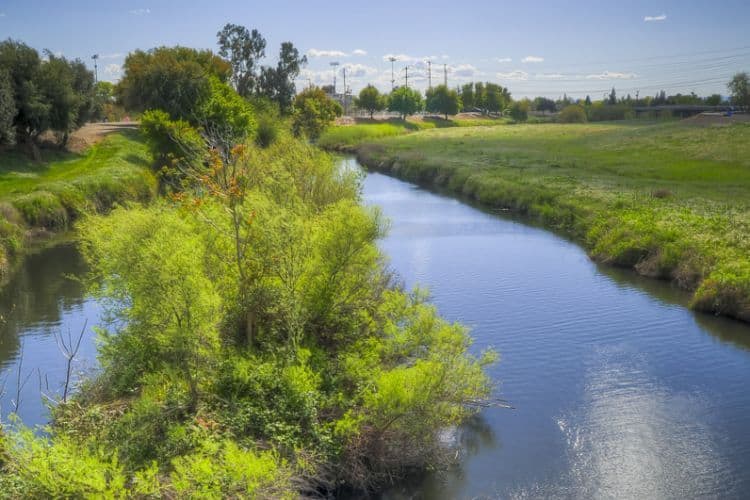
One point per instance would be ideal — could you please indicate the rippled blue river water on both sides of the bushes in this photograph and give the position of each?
(618, 389)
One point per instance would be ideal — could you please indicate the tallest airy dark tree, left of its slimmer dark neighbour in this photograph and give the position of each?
(244, 49)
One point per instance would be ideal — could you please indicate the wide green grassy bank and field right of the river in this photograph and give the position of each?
(670, 200)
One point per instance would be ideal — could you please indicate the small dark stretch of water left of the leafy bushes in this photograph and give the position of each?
(42, 300)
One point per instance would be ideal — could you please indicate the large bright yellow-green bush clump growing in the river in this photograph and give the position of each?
(256, 314)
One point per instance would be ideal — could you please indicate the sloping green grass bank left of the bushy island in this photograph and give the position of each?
(38, 199)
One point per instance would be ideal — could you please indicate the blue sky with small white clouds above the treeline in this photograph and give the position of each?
(533, 47)
